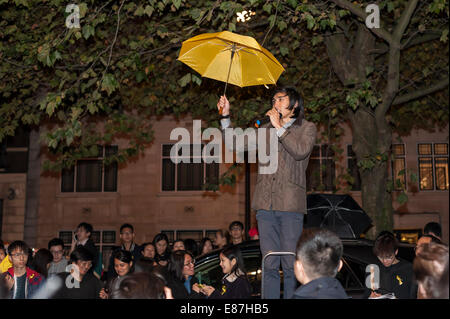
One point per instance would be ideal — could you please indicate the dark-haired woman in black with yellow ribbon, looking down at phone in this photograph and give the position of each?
(235, 281)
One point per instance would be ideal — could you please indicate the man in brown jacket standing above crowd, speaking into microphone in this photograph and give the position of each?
(280, 197)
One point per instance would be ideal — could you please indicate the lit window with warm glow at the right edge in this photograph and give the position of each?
(433, 166)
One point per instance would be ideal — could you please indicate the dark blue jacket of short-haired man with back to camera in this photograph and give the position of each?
(321, 288)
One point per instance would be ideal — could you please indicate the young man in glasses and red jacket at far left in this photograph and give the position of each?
(21, 280)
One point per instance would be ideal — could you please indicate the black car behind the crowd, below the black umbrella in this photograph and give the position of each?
(357, 255)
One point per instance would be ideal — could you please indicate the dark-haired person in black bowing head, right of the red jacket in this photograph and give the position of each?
(78, 281)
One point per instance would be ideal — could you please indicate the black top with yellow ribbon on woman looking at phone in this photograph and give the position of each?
(234, 287)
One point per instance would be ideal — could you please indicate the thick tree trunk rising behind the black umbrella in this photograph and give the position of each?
(350, 56)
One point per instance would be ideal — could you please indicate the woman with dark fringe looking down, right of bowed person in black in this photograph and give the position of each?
(123, 265)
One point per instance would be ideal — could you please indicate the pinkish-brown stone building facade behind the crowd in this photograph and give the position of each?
(156, 195)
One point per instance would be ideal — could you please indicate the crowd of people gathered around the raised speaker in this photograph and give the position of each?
(164, 270)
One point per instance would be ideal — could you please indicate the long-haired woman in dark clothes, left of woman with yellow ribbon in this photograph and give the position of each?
(180, 276)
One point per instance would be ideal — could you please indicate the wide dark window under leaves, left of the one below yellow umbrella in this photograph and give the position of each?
(91, 174)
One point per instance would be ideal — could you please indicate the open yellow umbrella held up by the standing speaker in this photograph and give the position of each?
(230, 58)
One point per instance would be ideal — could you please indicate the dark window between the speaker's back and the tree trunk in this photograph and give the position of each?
(320, 174)
